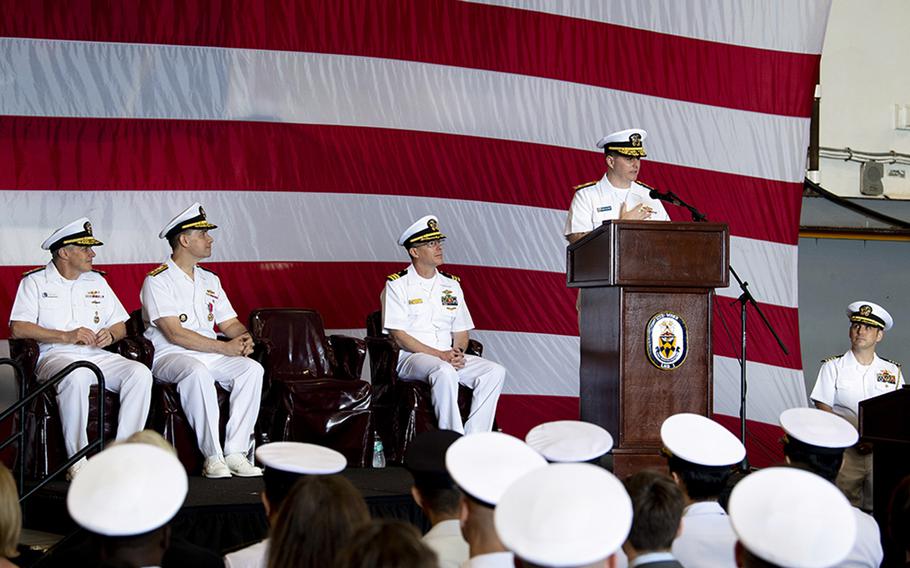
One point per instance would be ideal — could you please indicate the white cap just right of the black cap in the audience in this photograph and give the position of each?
(484, 464)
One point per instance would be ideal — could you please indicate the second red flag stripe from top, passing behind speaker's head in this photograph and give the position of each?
(40, 153)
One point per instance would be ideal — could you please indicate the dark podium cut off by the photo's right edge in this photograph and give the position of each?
(885, 421)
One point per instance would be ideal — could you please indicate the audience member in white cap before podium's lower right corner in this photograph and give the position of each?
(701, 454)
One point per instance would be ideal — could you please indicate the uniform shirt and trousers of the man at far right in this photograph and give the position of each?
(842, 384)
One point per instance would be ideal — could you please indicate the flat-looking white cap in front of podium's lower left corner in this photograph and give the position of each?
(569, 441)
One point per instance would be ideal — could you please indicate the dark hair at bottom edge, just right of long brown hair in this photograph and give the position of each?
(386, 544)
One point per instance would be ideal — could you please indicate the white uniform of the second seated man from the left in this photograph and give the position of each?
(199, 303)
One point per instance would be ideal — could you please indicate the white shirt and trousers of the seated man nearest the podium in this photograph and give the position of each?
(430, 311)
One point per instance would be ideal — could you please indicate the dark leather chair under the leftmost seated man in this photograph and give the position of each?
(43, 449)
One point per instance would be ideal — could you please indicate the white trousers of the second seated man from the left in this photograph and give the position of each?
(195, 374)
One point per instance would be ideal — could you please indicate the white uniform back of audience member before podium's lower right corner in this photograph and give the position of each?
(707, 538)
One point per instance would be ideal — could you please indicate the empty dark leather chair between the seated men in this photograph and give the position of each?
(312, 390)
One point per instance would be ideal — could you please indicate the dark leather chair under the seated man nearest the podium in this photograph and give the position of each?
(403, 409)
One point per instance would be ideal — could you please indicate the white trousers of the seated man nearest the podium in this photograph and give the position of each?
(482, 375)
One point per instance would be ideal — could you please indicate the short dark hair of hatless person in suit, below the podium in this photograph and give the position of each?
(657, 507)
